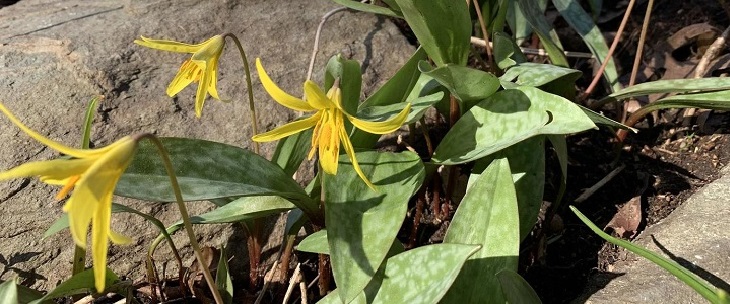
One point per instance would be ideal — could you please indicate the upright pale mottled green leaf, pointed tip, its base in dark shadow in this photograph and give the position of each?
(487, 216)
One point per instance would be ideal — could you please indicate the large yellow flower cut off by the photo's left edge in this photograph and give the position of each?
(93, 175)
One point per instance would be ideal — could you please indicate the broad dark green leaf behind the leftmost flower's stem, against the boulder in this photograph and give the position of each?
(207, 170)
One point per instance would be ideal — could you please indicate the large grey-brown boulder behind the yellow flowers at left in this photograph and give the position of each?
(55, 55)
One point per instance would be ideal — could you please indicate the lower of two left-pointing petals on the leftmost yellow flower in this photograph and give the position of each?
(50, 171)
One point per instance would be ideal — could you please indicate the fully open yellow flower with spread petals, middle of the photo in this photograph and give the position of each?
(328, 122)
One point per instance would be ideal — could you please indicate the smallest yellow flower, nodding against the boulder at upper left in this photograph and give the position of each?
(201, 68)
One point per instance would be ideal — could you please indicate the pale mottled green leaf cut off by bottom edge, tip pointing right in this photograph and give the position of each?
(427, 272)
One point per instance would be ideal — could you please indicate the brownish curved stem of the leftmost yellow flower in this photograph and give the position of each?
(185, 215)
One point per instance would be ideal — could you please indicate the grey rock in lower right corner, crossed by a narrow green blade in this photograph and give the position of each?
(695, 235)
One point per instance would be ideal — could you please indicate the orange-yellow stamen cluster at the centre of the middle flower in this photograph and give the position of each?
(329, 142)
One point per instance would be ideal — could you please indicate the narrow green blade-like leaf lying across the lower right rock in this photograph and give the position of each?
(706, 290)
